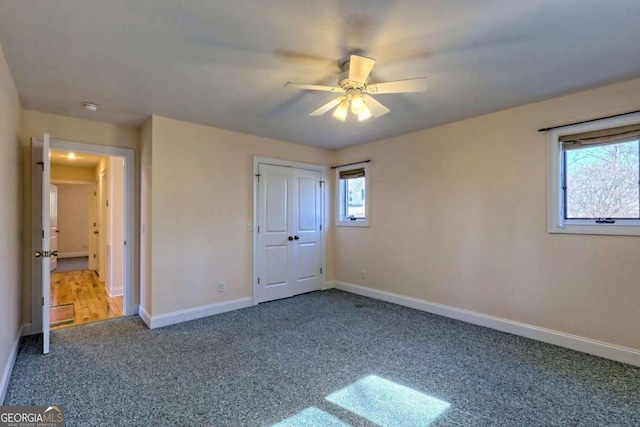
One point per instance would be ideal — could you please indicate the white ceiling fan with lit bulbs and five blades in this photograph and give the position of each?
(355, 90)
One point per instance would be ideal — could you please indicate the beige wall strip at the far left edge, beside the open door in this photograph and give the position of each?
(10, 216)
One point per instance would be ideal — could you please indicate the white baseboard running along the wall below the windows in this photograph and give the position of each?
(573, 342)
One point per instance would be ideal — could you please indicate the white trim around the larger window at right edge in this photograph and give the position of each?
(556, 223)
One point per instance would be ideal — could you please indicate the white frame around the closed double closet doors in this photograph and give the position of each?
(257, 160)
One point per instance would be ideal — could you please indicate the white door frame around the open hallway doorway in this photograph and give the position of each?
(129, 211)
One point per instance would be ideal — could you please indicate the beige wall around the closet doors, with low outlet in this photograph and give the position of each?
(202, 200)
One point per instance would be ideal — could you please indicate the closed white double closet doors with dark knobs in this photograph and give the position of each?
(289, 235)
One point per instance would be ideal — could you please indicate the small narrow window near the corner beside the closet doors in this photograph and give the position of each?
(353, 196)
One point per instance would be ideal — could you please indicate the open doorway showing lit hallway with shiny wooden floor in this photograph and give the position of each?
(87, 284)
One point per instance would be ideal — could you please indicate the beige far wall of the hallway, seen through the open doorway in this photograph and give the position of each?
(73, 219)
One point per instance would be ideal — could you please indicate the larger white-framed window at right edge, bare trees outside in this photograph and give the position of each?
(594, 182)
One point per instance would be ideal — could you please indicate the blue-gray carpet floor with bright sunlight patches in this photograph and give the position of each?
(324, 358)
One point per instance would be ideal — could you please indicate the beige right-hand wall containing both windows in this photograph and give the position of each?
(459, 218)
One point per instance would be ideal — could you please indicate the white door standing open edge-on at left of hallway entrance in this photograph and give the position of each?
(41, 231)
